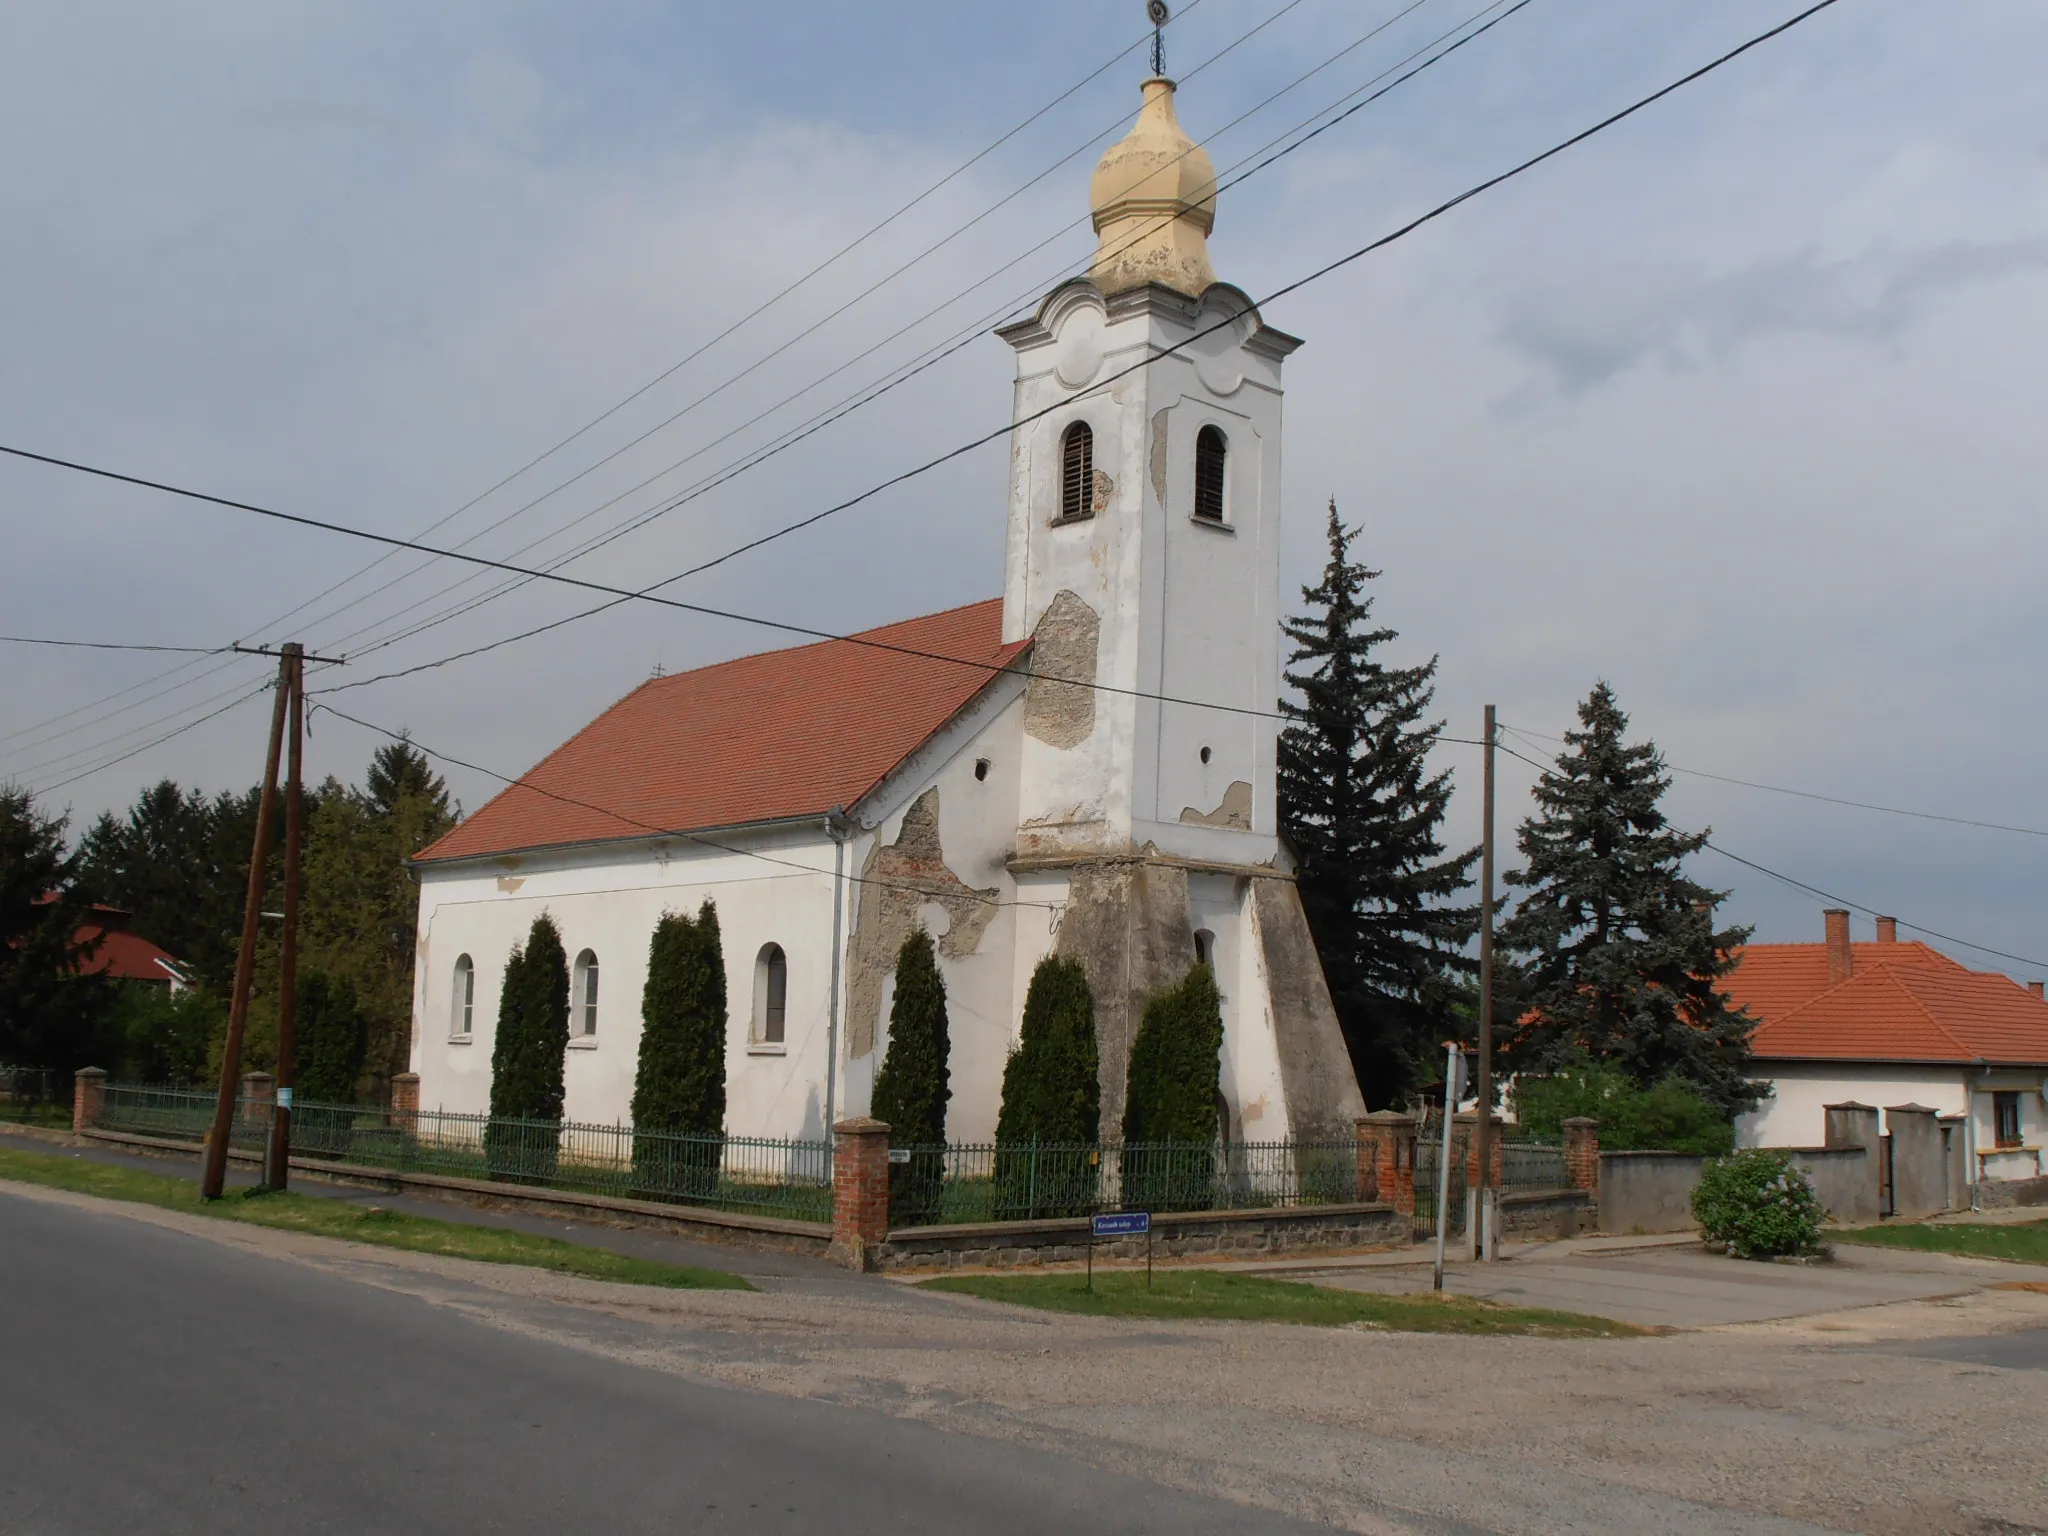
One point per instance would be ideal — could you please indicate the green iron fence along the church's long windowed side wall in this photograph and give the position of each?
(767, 1177)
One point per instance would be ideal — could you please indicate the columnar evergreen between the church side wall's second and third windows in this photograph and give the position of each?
(681, 1084)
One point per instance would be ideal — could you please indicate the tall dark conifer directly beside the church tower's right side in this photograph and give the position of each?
(1365, 818)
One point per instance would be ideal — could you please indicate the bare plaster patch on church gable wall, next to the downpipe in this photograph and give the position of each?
(898, 882)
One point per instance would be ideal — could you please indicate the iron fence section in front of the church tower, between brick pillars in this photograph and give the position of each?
(1029, 1181)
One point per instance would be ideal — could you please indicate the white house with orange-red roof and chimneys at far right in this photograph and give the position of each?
(1895, 1025)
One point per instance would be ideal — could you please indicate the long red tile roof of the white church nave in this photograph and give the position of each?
(765, 738)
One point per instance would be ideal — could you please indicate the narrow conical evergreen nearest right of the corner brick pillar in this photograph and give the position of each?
(914, 1082)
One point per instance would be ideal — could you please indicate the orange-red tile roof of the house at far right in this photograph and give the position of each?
(1902, 1002)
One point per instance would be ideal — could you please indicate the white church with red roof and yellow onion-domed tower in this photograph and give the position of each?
(1082, 767)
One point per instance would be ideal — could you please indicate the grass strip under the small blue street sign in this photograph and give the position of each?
(1256, 1299)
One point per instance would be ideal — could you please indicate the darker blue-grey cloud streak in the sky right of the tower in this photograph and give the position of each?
(1588, 333)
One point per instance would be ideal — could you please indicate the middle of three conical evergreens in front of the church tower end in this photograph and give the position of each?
(1052, 1099)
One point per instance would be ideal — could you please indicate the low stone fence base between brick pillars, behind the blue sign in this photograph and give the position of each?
(1183, 1236)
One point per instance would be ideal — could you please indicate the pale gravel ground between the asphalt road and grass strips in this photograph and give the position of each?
(1811, 1424)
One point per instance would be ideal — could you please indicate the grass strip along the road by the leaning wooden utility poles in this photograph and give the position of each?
(355, 1224)
